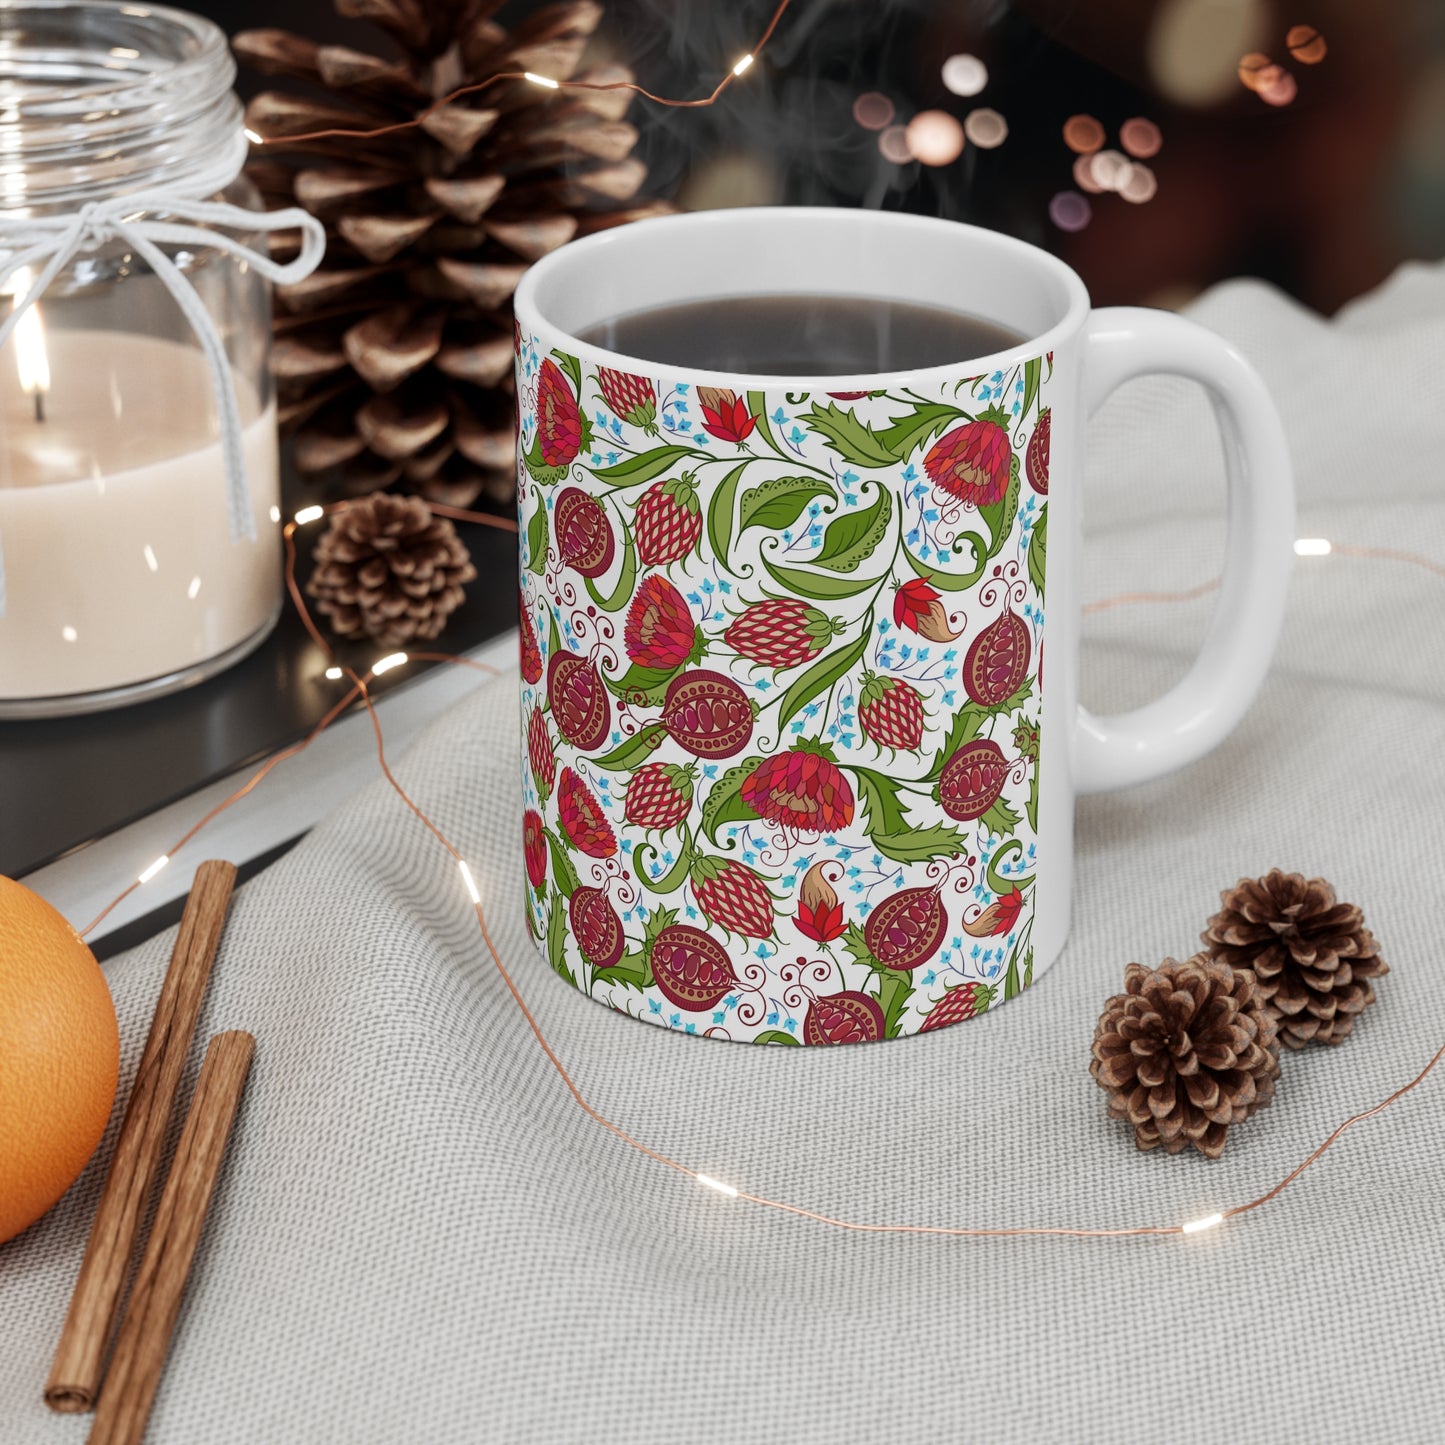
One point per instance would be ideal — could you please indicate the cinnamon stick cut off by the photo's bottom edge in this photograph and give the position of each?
(155, 1298)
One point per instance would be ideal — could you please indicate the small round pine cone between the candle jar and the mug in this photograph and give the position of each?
(391, 571)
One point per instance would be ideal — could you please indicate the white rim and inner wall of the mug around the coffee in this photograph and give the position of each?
(790, 251)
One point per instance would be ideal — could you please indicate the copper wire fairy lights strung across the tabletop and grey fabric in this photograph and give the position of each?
(362, 691)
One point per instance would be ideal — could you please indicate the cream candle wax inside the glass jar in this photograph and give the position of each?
(115, 524)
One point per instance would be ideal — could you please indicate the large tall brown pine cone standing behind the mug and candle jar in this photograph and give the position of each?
(394, 361)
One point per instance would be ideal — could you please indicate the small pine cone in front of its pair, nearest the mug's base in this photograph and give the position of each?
(1186, 1051)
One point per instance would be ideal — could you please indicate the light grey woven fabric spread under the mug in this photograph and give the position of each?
(420, 1238)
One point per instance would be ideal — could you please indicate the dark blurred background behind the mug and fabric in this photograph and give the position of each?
(1324, 196)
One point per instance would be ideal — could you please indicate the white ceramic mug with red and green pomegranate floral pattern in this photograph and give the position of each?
(795, 771)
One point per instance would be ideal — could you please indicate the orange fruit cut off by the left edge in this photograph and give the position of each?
(60, 1053)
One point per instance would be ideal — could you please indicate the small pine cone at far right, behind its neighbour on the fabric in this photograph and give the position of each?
(1313, 957)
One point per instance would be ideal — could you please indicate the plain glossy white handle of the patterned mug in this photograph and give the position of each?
(1204, 707)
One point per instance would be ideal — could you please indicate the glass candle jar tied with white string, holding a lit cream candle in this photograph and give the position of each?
(135, 560)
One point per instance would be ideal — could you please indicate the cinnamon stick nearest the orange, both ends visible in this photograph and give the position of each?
(80, 1358)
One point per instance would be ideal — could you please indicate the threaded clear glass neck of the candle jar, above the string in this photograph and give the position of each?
(106, 98)
